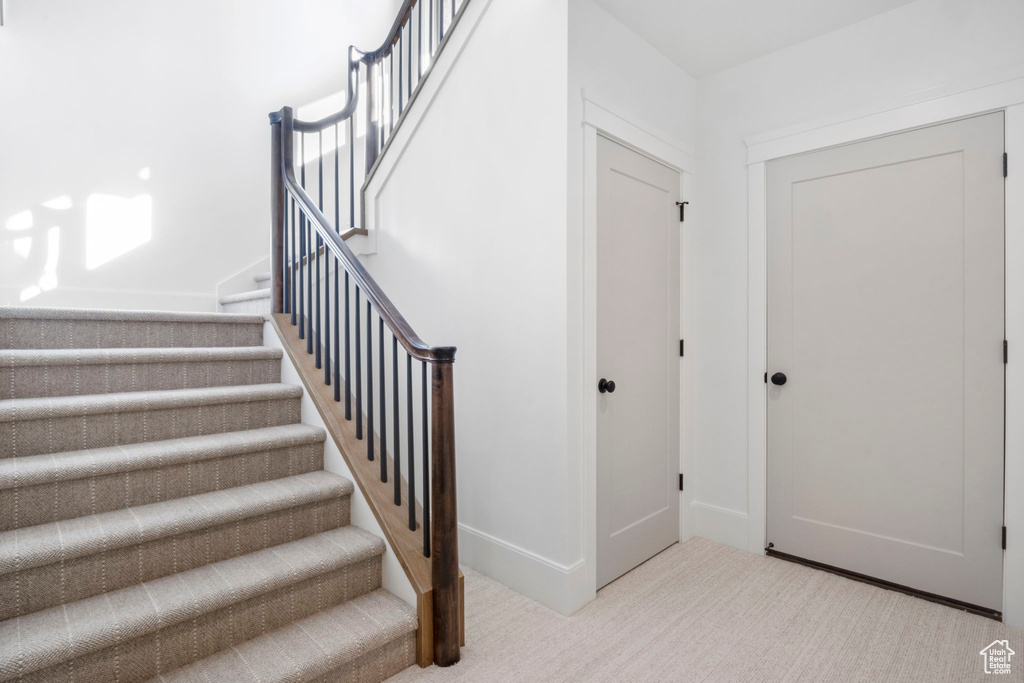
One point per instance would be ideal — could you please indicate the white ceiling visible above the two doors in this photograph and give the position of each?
(708, 36)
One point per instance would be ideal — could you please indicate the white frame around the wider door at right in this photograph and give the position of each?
(993, 93)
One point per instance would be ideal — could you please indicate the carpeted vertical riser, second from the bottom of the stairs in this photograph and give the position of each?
(149, 656)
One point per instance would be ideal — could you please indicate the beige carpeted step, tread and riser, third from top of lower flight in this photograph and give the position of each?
(31, 426)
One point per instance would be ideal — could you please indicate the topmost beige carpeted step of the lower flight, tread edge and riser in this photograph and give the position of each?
(82, 328)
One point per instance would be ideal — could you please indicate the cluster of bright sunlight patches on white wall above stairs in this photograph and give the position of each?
(72, 234)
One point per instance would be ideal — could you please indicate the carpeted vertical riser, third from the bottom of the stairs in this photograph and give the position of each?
(35, 589)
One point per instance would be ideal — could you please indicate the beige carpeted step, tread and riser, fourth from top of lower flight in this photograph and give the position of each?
(39, 490)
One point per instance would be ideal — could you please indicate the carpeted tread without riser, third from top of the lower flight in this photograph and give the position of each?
(13, 410)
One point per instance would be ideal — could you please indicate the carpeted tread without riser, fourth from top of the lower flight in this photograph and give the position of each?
(71, 465)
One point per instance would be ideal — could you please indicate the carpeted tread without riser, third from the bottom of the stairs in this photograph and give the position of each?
(59, 542)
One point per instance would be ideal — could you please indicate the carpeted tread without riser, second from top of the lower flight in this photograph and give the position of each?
(65, 357)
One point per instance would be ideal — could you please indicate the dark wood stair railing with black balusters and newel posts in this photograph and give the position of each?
(307, 249)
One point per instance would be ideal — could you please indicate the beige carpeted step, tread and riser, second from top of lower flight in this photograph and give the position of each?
(34, 373)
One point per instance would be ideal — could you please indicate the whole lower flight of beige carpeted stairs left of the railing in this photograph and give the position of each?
(165, 516)
